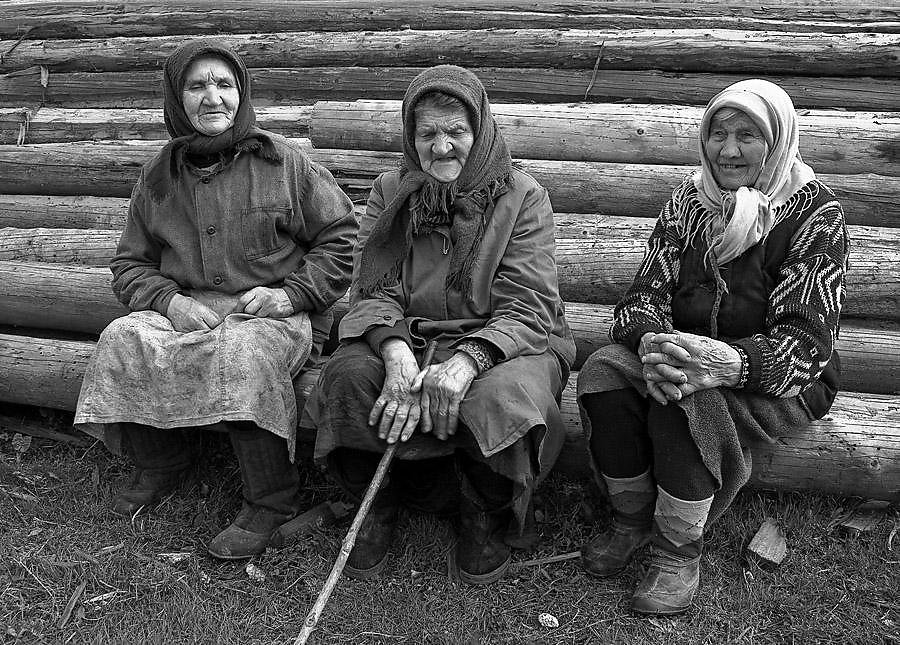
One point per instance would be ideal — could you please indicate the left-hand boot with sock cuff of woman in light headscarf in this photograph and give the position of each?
(633, 500)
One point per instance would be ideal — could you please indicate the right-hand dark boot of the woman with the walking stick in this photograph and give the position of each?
(482, 555)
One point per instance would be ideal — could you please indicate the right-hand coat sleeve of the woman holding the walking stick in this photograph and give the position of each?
(525, 290)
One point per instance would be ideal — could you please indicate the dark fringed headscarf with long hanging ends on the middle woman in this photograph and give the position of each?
(484, 177)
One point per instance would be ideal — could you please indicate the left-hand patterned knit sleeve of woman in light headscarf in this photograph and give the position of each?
(647, 305)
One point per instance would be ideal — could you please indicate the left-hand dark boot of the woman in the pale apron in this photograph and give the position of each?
(162, 458)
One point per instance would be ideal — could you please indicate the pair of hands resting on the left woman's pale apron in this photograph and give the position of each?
(189, 314)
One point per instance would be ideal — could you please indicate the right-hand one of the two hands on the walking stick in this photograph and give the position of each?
(443, 387)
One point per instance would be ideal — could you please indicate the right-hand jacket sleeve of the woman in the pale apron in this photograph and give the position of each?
(328, 232)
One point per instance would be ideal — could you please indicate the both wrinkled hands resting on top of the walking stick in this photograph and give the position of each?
(428, 398)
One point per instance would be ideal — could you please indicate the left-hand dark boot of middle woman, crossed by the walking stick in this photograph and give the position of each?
(354, 470)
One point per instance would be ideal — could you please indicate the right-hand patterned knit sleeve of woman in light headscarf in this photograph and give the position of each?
(804, 309)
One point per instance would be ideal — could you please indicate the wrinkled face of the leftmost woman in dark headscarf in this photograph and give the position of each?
(210, 95)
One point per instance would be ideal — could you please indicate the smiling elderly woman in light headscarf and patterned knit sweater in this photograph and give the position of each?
(725, 338)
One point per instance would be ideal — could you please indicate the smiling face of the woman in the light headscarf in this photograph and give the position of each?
(736, 148)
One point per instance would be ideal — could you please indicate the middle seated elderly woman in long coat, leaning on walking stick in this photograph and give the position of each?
(456, 247)
